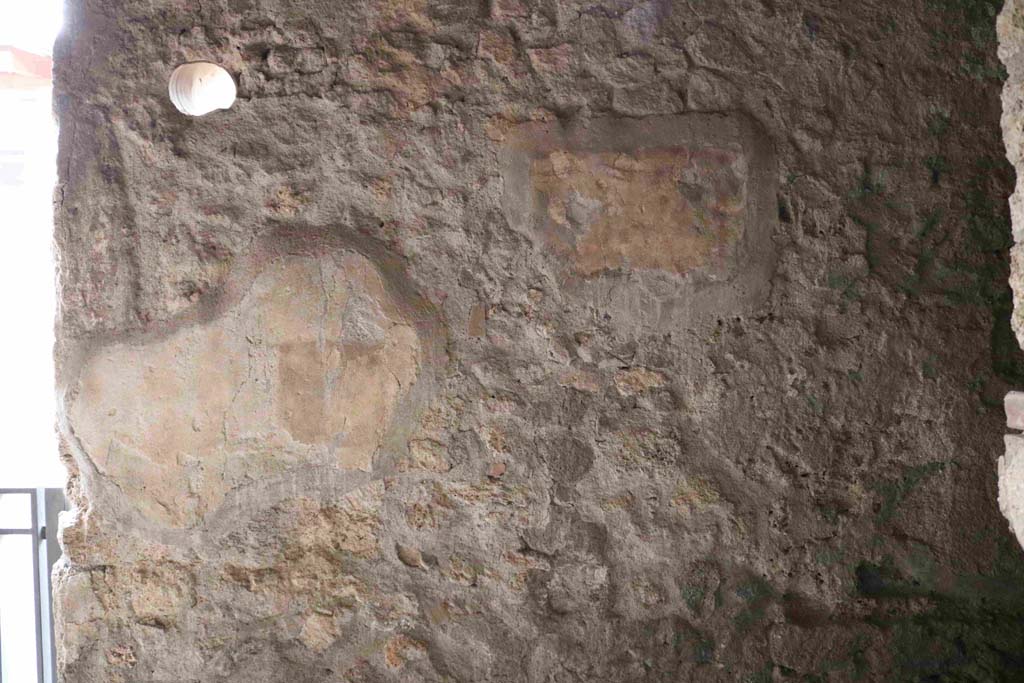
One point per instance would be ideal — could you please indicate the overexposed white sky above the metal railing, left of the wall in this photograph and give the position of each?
(28, 174)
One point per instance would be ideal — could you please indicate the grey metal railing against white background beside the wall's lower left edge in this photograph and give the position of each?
(28, 550)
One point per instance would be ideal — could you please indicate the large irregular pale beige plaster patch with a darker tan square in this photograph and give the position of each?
(307, 367)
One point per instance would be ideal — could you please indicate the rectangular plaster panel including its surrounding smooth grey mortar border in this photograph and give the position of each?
(667, 210)
